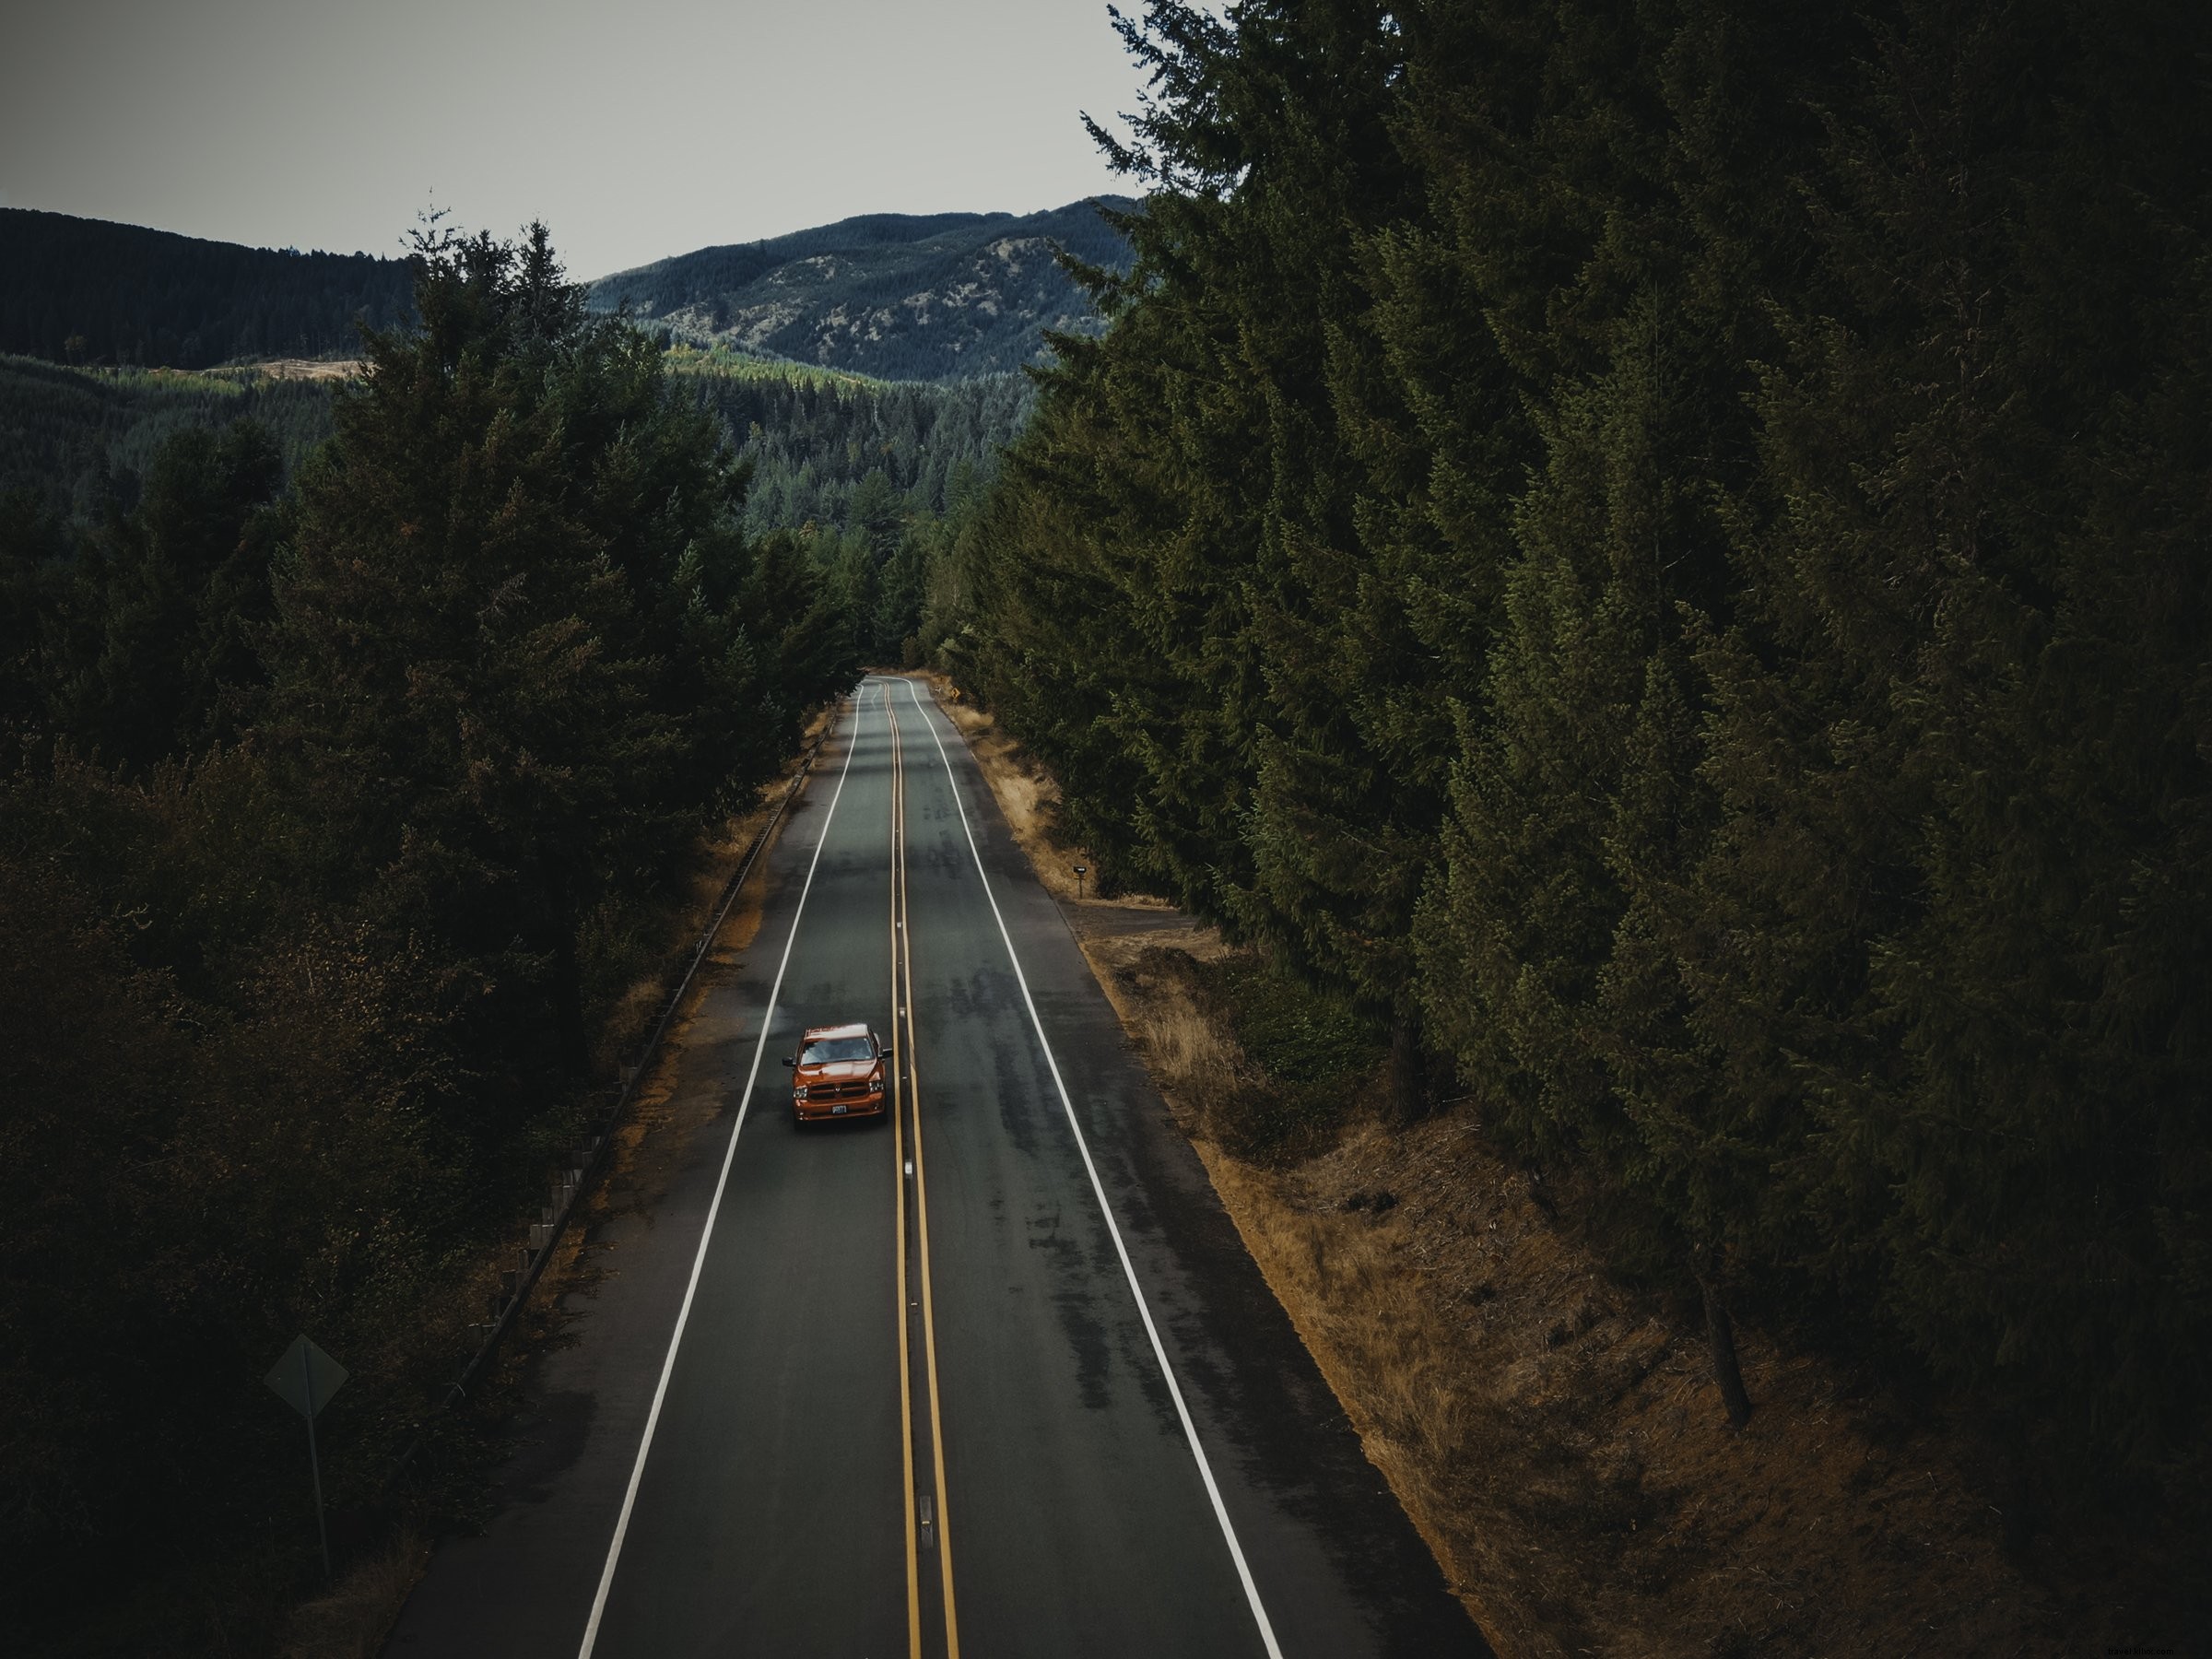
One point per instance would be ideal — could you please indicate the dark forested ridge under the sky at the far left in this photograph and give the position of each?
(85, 291)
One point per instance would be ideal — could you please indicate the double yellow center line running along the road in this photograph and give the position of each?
(926, 1512)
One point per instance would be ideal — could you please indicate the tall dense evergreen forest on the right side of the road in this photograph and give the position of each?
(1660, 559)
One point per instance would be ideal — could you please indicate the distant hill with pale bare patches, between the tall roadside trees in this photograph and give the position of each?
(901, 298)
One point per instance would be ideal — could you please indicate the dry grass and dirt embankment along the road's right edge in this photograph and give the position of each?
(1554, 1434)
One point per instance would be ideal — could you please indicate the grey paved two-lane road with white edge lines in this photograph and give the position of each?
(994, 1377)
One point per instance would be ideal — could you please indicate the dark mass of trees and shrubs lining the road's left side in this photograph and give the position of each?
(337, 813)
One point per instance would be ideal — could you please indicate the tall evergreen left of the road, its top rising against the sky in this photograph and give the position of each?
(508, 649)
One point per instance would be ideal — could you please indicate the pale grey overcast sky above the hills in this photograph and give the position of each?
(636, 129)
